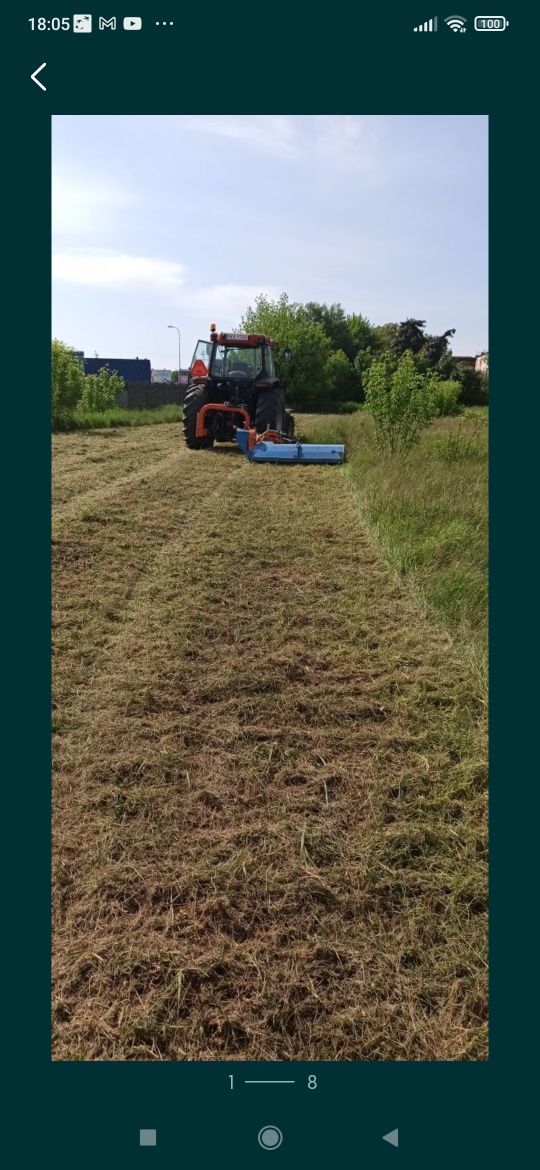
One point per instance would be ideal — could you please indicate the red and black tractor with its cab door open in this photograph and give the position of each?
(233, 387)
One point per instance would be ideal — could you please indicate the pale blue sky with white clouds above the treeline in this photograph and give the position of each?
(184, 221)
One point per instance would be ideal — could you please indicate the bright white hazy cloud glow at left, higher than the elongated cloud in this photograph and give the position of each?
(87, 203)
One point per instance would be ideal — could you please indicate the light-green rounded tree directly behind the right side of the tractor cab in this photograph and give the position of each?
(304, 377)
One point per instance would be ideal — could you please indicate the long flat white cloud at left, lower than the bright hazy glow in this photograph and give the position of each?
(107, 270)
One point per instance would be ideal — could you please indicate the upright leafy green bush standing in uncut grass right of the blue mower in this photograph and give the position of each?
(400, 400)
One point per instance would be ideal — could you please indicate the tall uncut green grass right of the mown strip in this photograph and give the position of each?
(430, 508)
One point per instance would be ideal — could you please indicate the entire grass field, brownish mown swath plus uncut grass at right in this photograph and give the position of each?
(269, 754)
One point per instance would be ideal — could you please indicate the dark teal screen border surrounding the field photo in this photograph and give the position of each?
(322, 61)
